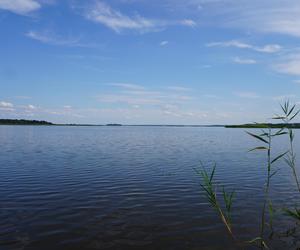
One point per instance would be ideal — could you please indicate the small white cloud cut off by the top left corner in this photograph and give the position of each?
(21, 7)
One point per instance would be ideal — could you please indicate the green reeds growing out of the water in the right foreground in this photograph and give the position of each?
(222, 201)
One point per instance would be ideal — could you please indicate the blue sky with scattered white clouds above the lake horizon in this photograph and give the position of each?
(148, 62)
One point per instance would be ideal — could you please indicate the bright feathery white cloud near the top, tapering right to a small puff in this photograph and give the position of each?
(102, 13)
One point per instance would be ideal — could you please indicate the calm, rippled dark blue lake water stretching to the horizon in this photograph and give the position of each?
(129, 187)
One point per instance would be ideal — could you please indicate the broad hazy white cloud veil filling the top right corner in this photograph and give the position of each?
(276, 16)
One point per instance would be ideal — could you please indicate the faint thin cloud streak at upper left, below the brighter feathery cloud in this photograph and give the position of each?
(53, 39)
